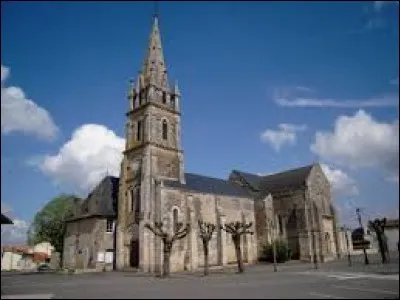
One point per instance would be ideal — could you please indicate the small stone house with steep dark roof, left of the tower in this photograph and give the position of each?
(89, 241)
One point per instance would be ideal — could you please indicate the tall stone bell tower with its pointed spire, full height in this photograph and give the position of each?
(152, 152)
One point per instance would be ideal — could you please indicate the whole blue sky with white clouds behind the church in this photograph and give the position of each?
(327, 71)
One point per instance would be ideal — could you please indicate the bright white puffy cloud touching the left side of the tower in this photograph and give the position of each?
(84, 160)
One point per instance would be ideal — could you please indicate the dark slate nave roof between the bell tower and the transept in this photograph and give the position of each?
(204, 184)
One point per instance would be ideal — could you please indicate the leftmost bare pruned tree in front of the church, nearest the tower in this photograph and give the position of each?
(168, 240)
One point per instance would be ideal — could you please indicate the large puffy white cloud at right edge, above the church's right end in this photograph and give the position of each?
(360, 141)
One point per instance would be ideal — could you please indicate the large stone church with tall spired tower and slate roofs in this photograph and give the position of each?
(293, 205)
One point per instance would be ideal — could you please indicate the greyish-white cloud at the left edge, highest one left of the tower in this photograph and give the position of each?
(21, 114)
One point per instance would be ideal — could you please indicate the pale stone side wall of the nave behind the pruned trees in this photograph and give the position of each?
(187, 254)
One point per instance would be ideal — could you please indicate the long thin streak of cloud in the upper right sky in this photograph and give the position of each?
(385, 101)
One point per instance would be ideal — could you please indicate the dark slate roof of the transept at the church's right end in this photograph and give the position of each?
(271, 183)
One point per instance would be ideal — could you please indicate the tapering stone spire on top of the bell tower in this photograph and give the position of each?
(154, 69)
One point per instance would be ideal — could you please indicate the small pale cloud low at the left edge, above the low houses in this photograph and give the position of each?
(13, 233)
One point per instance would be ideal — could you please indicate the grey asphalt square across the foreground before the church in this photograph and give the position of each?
(301, 281)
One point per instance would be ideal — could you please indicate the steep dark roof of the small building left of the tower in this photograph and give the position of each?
(101, 201)
